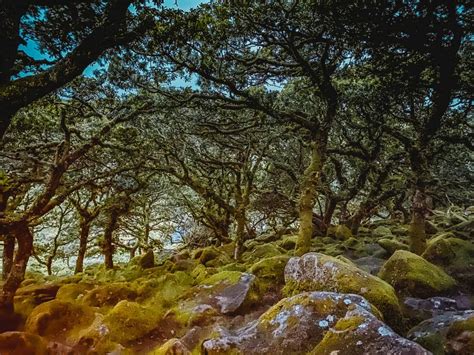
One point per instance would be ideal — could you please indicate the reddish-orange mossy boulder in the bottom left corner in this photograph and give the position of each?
(16, 343)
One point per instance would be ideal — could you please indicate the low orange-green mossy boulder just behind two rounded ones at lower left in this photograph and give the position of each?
(110, 294)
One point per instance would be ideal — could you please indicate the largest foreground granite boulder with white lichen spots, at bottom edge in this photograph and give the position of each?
(301, 324)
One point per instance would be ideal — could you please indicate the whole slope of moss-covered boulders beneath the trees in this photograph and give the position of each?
(364, 294)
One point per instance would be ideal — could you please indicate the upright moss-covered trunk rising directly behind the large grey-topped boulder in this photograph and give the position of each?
(310, 181)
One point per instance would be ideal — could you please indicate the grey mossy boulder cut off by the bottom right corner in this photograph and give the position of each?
(450, 333)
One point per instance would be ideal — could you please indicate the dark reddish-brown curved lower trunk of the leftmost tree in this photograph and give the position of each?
(24, 239)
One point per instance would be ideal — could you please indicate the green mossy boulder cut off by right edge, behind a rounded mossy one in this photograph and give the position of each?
(454, 255)
